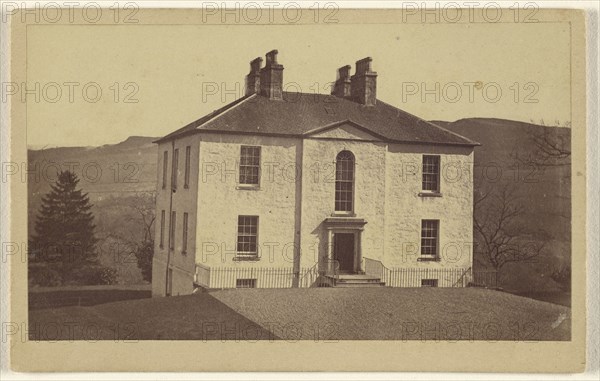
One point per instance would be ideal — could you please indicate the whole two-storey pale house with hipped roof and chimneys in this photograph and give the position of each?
(284, 189)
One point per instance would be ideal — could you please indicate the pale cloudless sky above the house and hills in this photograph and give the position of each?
(154, 79)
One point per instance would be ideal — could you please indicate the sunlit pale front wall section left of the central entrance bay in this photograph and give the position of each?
(221, 200)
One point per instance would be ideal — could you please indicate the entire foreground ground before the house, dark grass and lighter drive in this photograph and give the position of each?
(318, 314)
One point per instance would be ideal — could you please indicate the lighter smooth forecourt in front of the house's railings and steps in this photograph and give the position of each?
(384, 313)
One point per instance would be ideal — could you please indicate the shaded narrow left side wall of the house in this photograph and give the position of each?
(180, 198)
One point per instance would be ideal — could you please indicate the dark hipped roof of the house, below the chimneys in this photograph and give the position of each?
(300, 114)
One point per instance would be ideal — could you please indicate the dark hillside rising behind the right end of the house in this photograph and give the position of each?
(545, 192)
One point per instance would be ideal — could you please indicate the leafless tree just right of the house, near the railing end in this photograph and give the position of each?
(497, 212)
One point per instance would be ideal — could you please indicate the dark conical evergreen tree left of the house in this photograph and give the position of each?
(64, 230)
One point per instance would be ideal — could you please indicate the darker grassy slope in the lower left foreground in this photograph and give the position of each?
(193, 317)
